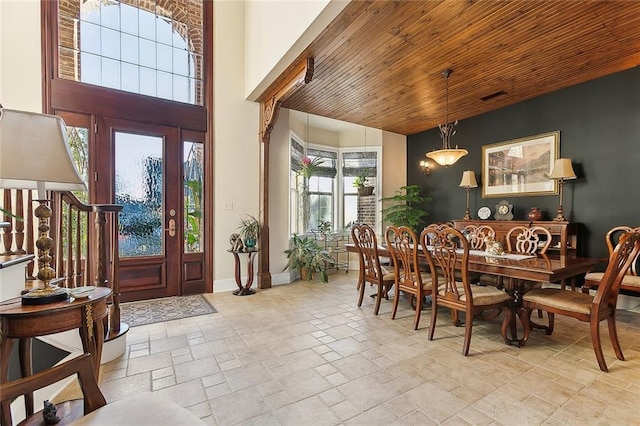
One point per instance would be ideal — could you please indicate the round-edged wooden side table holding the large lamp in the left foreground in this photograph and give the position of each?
(23, 323)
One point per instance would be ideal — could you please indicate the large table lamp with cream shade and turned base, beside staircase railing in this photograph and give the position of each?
(34, 154)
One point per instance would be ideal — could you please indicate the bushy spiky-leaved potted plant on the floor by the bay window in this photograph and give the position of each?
(307, 257)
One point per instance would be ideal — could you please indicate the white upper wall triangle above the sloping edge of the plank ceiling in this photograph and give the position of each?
(277, 32)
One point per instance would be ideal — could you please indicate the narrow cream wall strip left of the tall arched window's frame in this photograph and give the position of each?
(20, 61)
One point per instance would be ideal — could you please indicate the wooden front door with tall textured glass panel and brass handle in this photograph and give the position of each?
(146, 179)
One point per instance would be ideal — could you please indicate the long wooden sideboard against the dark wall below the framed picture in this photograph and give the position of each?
(564, 234)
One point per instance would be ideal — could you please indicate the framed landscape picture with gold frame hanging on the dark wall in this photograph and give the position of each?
(520, 167)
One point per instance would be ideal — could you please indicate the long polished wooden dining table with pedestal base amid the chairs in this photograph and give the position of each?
(517, 269)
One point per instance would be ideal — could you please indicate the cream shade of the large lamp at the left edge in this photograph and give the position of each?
(34, 153)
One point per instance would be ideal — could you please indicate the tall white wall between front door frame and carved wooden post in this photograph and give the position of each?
(236, 140)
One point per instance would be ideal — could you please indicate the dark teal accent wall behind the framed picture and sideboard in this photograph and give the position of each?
(599, 124)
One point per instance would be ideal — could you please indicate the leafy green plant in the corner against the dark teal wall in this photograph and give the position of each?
(402, 208)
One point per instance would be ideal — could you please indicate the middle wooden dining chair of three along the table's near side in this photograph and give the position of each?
(404, 248)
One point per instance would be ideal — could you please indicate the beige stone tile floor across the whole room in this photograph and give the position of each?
(305, 354)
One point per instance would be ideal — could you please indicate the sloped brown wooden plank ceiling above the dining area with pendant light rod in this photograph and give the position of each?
(380, 62)
